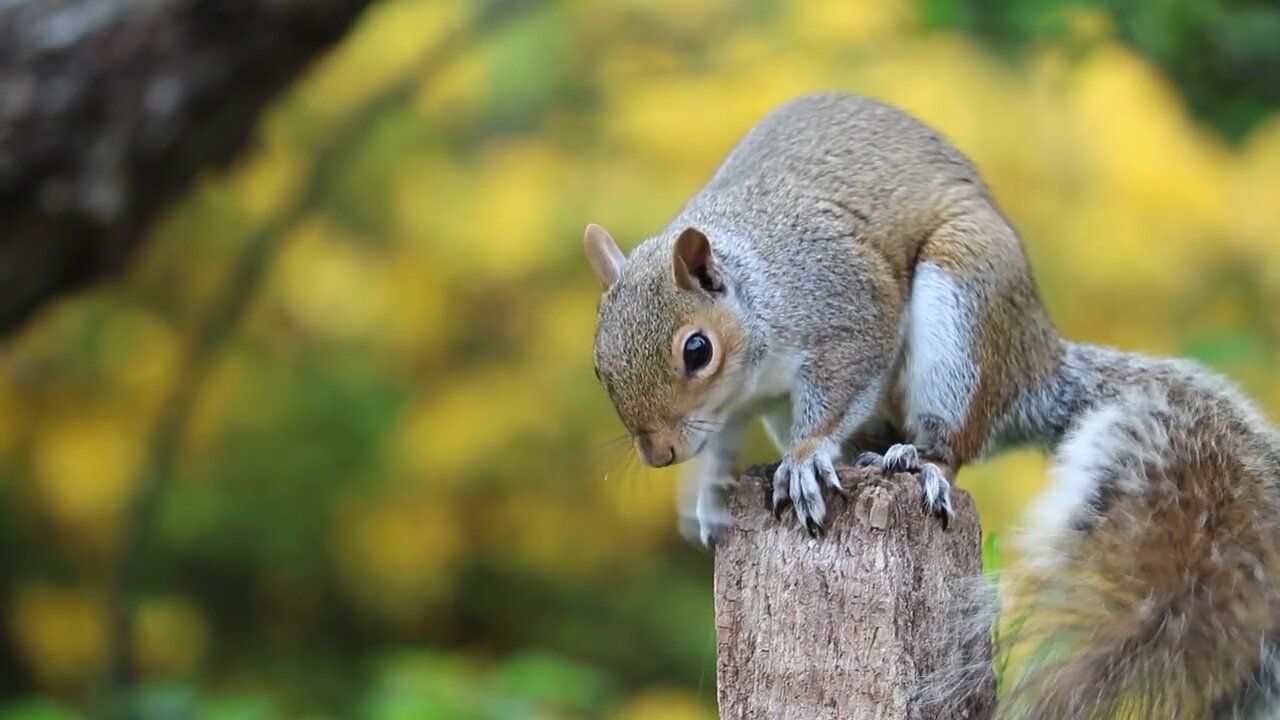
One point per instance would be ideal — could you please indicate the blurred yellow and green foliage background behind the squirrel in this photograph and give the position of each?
(333, 432)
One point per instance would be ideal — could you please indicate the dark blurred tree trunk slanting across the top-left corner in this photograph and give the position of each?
(109, 110)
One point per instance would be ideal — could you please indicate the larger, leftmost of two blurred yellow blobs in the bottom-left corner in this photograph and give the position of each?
(61, 634)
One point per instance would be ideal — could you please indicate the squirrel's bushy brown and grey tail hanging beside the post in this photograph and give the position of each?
(1151, 580)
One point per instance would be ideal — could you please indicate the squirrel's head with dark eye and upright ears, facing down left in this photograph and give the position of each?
(669, 345)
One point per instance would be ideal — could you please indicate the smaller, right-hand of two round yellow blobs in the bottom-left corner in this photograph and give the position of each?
(170, 636)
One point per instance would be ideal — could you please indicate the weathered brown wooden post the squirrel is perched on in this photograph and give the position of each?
(848, 626)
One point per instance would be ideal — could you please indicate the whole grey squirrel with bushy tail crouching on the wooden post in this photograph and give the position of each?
(848, 277)
